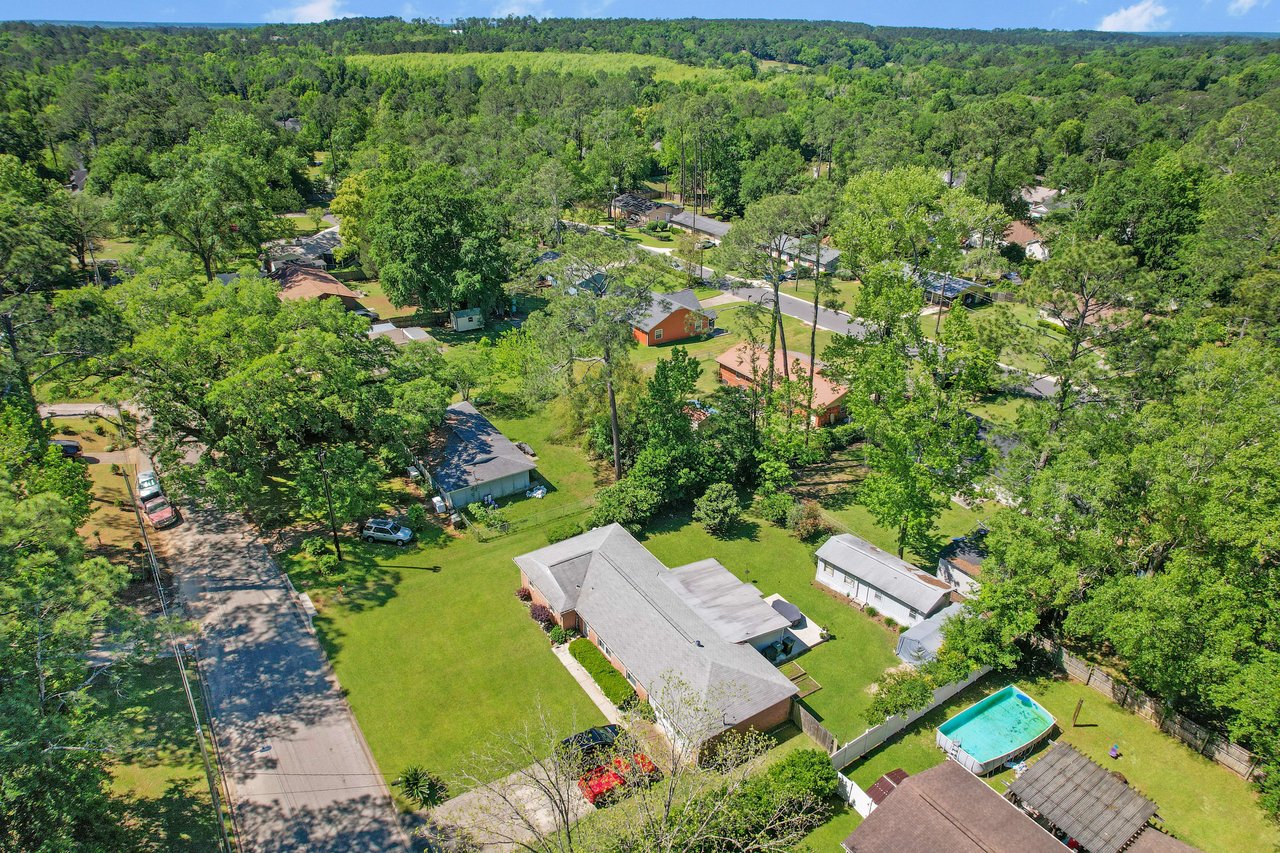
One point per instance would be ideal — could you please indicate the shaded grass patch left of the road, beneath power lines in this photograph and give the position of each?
(159, 778)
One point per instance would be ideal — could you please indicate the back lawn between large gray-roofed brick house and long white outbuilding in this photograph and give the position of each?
(779, 563)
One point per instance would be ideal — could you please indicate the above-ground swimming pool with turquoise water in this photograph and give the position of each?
(989, 733)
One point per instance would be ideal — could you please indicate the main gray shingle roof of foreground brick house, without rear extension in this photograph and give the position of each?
(624, 594)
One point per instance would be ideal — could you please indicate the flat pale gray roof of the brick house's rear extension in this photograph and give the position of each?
(737, 612)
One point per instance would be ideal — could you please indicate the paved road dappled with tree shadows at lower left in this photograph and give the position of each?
(300, 774)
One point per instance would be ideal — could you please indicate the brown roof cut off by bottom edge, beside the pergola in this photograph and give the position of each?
(947, 809)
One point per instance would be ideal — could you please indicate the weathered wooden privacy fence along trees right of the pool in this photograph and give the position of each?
(1209, 743)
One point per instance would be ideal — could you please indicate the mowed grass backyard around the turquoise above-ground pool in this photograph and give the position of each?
(1201, 802)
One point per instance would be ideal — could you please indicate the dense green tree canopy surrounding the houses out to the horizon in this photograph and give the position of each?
(1142, 524)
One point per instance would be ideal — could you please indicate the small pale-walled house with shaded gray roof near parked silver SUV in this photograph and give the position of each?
(474, 459)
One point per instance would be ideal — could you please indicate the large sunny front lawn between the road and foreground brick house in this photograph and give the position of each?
(438, 658)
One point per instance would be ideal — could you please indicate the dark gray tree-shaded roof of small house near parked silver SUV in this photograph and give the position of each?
(474, 451)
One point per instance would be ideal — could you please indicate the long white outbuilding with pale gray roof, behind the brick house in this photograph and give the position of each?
(863, 573)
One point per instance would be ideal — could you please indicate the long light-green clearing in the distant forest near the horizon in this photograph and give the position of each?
(551, 61)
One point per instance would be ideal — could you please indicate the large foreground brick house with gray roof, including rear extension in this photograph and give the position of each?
(696, 627)
